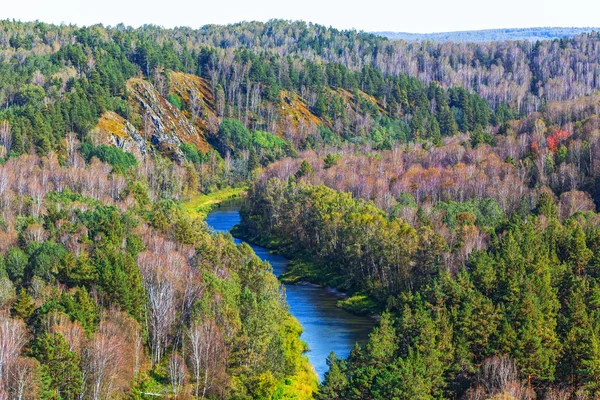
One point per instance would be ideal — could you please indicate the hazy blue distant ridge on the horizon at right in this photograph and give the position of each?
(489, 35)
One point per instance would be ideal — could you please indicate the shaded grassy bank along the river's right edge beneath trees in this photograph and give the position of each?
(303, 271)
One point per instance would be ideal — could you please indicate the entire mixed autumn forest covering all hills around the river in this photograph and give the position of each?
(449, 188)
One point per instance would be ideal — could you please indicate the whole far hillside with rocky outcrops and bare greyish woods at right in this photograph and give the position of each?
(287, 78)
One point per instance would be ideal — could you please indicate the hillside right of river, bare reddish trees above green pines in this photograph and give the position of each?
(480, 249)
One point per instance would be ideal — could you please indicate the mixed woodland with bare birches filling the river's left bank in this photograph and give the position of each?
(108, 291)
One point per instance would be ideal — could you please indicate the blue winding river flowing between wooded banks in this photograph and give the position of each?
(326, 327)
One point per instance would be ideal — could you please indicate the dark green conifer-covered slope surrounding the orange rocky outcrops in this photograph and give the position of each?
(91, 81)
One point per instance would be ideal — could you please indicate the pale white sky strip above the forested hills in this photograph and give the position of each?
(415, 16)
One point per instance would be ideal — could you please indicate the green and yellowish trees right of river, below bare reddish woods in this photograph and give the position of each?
(515, 317)
